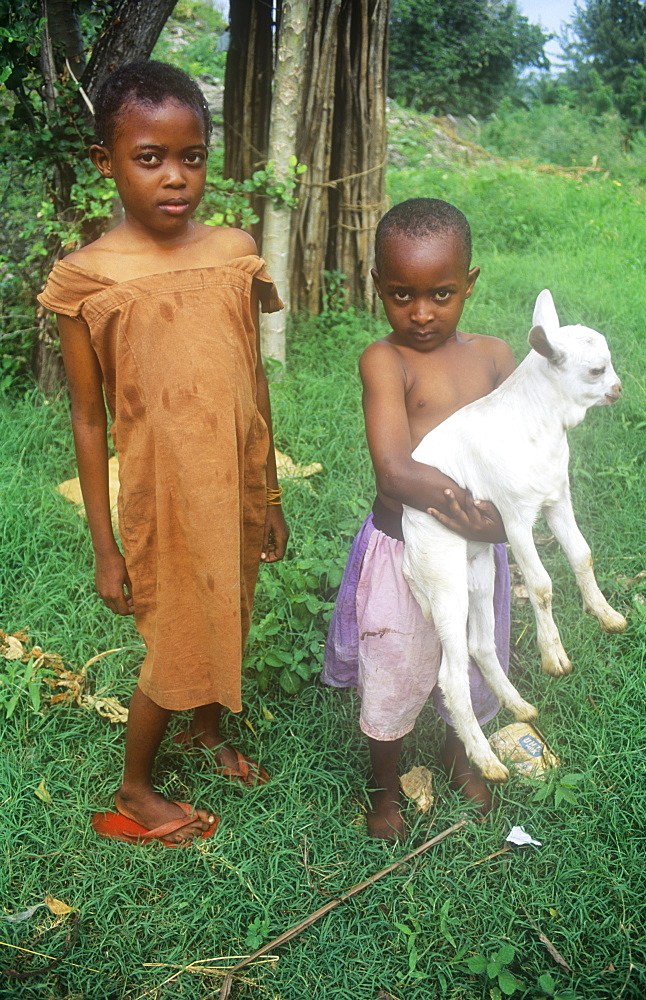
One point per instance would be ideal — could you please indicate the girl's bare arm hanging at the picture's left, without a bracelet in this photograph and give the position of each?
(89, 426)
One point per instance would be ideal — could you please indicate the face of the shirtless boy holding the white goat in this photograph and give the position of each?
(423, 283)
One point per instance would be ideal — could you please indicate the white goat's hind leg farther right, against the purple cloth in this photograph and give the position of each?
(481, 632)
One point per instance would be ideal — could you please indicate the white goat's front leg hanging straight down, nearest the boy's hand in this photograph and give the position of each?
(554, 659)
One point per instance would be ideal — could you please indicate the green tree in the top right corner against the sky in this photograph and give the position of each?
(608, 48)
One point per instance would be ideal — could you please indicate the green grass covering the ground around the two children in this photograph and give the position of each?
(144, 916)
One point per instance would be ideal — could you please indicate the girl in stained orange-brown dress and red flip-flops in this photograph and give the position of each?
(161, 315)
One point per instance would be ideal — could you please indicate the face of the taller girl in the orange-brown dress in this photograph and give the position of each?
(158, 162)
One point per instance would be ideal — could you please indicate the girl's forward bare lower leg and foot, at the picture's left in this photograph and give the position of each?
(137, 798)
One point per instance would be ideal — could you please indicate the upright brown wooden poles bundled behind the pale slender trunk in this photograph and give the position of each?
(341, 138)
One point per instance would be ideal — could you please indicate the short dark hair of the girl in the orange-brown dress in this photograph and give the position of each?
(147, 82)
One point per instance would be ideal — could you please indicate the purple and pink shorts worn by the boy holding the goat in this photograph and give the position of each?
(380, 642)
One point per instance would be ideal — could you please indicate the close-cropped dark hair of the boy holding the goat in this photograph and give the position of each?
(421, 217)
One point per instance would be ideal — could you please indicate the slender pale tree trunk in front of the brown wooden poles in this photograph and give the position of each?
(285, 115)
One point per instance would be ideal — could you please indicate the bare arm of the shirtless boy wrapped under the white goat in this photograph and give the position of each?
(398, 475)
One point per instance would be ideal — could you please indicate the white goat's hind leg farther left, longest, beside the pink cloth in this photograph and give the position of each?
(435, 569)
